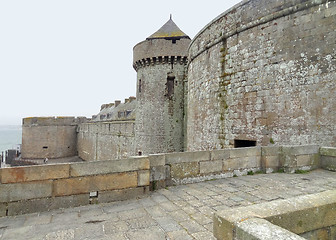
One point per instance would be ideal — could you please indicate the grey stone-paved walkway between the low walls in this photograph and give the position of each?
(180, 212)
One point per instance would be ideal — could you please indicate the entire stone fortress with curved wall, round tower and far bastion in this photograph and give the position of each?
(262, 73)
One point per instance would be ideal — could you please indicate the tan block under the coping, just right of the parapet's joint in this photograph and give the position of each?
(184, 170)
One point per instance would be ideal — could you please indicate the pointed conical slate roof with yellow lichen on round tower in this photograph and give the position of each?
(169, 31)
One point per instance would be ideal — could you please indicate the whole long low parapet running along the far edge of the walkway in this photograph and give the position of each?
(41, 188)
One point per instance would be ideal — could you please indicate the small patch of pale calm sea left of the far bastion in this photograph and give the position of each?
(10, 136)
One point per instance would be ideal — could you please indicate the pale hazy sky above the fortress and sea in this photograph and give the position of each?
(67, 57)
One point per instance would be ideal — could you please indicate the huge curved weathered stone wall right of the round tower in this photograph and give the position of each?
(264, 71)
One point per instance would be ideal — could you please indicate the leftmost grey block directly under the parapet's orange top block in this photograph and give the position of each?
(28, 190)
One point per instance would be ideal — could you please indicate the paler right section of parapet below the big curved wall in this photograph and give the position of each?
(187, 167)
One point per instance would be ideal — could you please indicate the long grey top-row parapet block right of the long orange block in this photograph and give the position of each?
(106, 167)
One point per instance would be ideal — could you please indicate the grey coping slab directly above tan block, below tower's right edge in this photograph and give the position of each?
(185, 157)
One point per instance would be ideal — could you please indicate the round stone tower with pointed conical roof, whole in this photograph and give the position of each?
(160, 62)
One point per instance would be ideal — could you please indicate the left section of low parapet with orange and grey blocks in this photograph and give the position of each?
(41, 188)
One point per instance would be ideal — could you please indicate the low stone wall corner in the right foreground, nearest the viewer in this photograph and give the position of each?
(280, 219)
